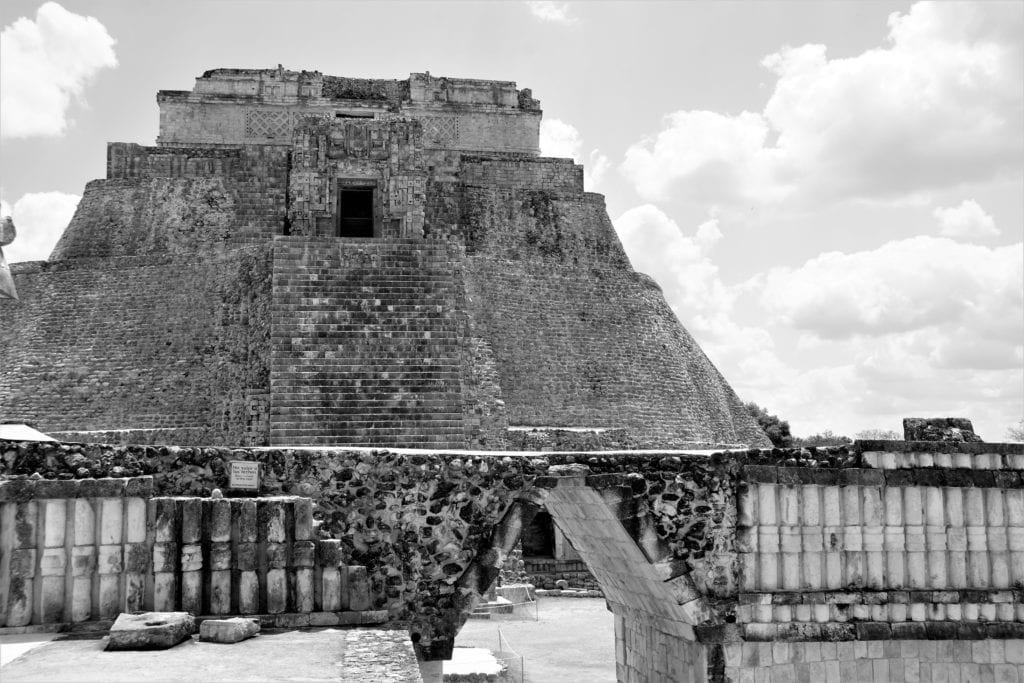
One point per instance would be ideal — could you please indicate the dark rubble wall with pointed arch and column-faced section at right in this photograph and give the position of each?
(699, 557)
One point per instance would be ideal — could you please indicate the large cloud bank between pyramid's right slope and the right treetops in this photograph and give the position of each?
(916, 328)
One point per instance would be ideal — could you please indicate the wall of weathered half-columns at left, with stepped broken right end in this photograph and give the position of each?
(76, 551)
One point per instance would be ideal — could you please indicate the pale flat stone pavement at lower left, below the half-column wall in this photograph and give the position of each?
(325, 655)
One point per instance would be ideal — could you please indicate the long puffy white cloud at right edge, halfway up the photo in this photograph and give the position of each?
(904, 286)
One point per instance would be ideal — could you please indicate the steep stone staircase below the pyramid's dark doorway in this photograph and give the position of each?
(366, 344)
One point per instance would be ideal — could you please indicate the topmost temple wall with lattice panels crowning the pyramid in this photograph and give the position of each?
(246, 107)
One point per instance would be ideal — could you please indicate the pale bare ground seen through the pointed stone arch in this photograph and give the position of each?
(573, 642)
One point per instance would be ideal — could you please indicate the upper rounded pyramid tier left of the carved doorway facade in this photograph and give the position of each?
(179, 201)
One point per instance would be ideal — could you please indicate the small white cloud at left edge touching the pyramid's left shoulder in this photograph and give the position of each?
(39, 220)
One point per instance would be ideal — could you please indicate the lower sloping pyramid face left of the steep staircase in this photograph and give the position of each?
(156, 343)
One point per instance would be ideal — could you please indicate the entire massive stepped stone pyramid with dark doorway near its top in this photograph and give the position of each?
(308, 260)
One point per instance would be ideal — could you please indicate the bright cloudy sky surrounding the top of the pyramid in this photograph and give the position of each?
(830, 194)
